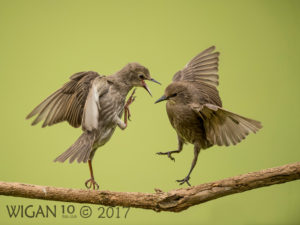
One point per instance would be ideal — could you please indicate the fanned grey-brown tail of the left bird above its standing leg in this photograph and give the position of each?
(80, 150)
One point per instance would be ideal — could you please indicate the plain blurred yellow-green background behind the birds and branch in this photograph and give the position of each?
(42, 43)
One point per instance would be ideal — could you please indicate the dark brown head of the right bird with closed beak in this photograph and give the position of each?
(176, 92)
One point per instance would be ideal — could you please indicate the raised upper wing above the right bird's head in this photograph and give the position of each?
(202, 68)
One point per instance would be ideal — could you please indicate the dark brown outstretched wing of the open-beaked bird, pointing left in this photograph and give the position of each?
(67, 103)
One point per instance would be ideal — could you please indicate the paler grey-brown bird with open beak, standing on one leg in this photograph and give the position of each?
(96, 103)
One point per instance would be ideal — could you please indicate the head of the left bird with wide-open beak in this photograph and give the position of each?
(138, 74)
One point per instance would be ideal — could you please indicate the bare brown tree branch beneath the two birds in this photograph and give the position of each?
(175, 200)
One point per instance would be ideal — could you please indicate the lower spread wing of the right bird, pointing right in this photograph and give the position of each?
(223, 127)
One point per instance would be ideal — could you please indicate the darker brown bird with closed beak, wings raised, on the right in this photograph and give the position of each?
(195, 109)
